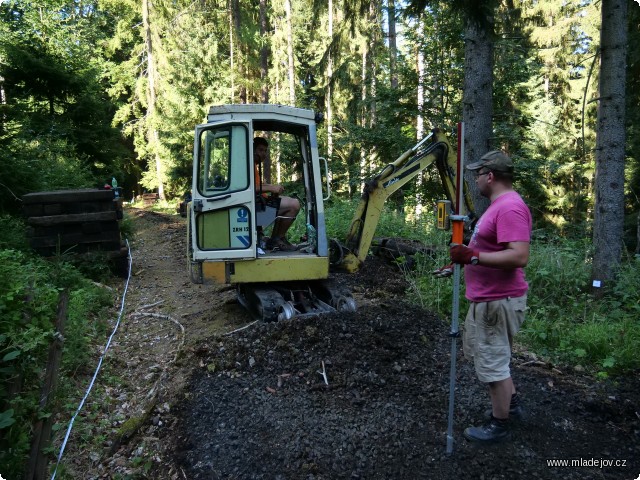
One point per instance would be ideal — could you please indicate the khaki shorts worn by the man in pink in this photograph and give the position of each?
(488, 334)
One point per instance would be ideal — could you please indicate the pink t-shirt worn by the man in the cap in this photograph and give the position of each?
(507, 219)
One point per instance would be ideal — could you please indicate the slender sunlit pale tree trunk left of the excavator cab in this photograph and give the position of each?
(152, 133)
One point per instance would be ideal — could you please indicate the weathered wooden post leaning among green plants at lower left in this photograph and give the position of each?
(37, 468)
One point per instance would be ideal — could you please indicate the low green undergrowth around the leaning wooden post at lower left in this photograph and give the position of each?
(29, 291)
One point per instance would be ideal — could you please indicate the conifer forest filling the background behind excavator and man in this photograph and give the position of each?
(92, 90)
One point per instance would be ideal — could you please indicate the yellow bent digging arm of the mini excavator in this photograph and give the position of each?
(435, 148)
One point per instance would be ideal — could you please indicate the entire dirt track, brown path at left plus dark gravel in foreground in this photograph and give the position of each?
(194, 403)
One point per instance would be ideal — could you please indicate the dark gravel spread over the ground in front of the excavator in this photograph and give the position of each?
(259, 406)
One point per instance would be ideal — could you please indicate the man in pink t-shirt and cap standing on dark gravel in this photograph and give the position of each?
(497, 289)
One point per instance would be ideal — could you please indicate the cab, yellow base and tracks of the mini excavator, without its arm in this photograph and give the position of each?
(228, 215)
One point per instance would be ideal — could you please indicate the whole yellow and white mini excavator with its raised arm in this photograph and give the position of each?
(226, 216)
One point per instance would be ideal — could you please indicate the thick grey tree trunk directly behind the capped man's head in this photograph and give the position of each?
(477, 108)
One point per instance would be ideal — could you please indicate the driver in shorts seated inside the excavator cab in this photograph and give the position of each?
(288, 207)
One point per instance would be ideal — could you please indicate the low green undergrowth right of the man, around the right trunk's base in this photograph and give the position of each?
(567, 323)
